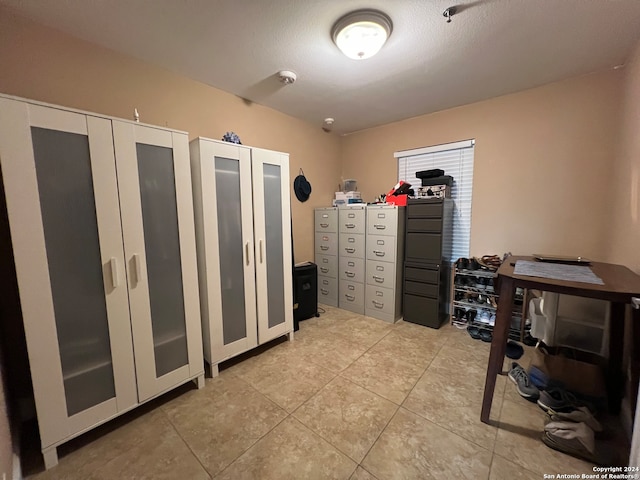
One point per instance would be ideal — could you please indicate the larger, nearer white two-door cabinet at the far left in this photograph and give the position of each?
(101, 223)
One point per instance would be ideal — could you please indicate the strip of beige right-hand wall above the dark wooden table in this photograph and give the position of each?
(624, 230)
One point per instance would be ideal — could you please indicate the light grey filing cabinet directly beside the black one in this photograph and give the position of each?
(385, 250)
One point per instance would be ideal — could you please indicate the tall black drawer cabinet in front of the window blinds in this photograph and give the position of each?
(427, 268)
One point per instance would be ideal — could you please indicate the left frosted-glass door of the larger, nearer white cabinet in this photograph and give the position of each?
(60, 183)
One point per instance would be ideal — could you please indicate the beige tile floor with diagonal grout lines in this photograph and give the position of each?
(350, 398)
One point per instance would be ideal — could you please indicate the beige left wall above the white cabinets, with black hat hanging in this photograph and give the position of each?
(43, 64)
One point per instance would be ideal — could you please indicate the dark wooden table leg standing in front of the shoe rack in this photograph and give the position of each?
(498, 344)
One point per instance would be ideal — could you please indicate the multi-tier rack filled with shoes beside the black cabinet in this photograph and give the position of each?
(474, 302)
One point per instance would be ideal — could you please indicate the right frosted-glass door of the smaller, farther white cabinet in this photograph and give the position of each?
(274, 269)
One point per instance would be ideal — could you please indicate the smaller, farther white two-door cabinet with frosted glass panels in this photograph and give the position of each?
(243, 225)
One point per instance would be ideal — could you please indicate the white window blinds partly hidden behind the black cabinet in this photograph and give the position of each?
(456, 159)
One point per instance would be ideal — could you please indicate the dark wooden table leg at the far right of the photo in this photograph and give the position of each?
(616, 345)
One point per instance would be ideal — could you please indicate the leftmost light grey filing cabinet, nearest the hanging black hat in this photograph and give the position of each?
(326, 252)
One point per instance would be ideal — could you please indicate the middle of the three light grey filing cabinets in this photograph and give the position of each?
(352, 257)
